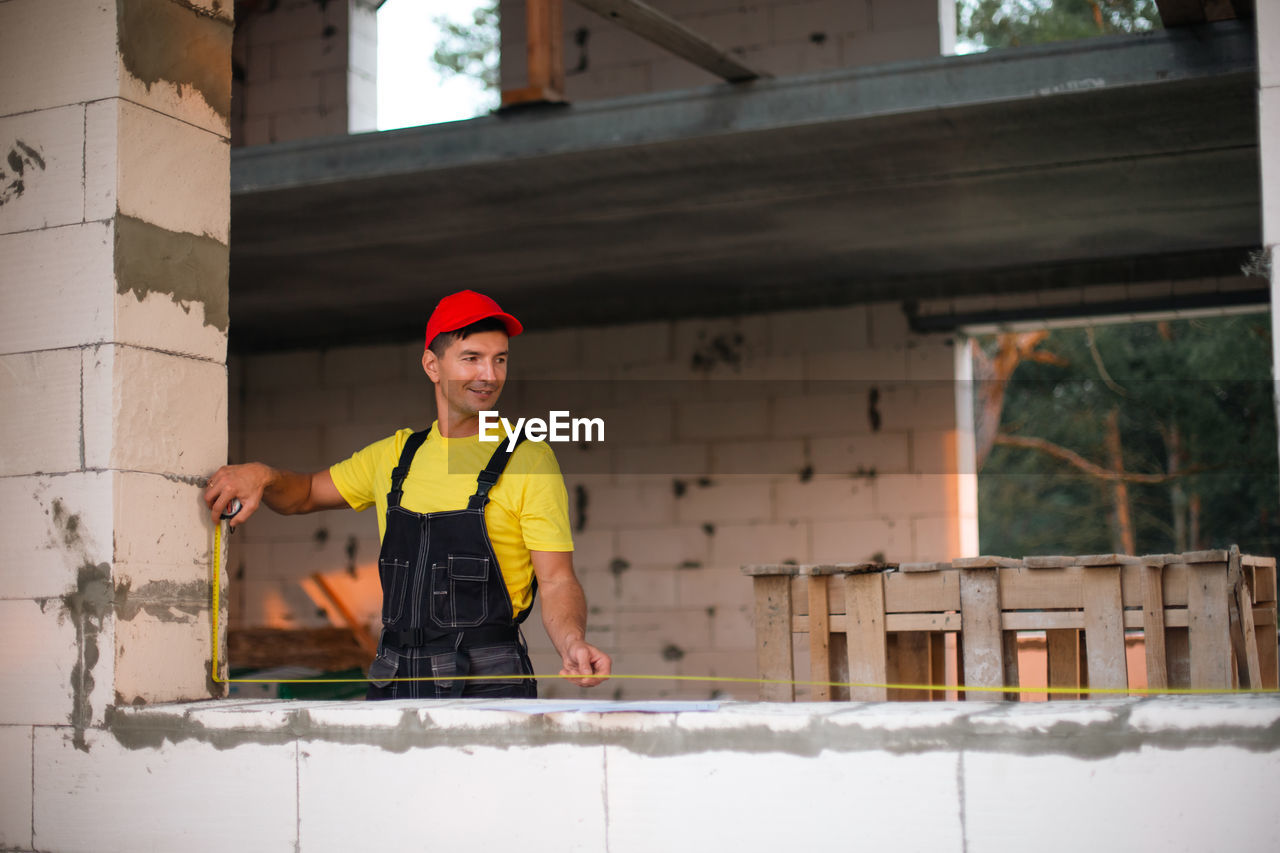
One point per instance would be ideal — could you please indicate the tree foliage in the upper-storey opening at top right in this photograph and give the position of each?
(1012, 24)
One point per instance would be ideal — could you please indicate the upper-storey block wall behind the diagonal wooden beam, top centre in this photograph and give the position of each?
(779, 38)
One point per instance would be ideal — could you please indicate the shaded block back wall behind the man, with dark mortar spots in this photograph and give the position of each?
(833, 439)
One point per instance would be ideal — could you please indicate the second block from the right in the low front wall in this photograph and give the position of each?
(881, 793)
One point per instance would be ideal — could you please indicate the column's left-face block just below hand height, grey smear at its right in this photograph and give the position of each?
(49, 528)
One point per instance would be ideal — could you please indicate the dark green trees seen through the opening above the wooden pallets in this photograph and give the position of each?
(1196, 417)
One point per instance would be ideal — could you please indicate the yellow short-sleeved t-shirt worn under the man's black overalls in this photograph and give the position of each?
(528, 509)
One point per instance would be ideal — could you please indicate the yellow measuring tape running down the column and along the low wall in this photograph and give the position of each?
(712, 679)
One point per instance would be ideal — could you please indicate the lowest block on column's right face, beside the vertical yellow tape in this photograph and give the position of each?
(164, 656)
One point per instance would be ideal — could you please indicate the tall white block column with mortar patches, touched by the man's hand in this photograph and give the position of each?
(115, 213)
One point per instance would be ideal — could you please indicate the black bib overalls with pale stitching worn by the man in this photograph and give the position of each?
(446, 610)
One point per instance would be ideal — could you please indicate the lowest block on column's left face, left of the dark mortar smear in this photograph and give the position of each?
(38, 653)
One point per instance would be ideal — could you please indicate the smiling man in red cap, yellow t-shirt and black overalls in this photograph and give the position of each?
(470, 530)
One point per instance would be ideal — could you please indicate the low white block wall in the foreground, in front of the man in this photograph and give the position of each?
(1171, 773)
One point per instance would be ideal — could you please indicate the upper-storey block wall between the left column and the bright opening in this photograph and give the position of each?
(305, 70)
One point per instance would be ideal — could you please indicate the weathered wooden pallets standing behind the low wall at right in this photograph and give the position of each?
(1208, 621)
